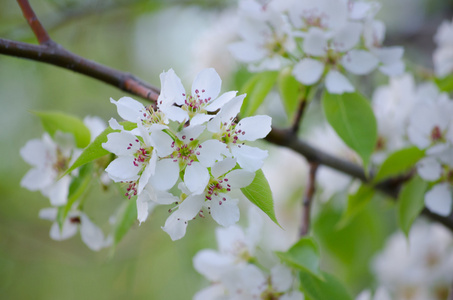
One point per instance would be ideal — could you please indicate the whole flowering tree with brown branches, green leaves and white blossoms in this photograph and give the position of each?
(194, 150)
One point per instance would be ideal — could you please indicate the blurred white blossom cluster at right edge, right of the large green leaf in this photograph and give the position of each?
(408, 114)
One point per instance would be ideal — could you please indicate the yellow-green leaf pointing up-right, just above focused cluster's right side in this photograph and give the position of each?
(257, 88)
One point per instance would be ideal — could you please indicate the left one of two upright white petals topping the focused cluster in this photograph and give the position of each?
(172, 90)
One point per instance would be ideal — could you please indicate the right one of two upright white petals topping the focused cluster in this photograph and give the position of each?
(207, 83)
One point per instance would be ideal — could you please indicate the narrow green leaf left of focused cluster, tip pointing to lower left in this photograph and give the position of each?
(95, 150)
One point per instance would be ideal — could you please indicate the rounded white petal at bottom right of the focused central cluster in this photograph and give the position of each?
(226, 212)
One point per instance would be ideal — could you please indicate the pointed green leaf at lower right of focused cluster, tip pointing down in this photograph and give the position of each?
(260, 194)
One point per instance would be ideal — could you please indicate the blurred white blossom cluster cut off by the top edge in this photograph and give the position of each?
(319, 39)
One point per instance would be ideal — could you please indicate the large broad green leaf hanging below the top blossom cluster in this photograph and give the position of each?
(351, 116)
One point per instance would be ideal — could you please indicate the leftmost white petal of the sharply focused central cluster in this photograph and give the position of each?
(121, 143)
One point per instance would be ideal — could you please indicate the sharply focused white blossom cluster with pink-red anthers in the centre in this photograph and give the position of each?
(191, 139)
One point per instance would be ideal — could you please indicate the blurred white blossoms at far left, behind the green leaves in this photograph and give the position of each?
(50, 158)
